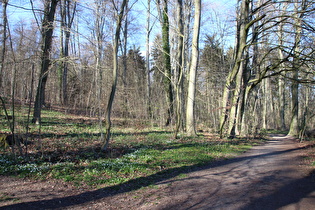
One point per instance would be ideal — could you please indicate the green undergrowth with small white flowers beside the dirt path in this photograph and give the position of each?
(68, 148)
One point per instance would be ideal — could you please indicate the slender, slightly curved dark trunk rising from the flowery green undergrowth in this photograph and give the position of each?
(114, 81)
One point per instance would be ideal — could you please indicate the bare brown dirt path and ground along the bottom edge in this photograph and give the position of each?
(276, 175)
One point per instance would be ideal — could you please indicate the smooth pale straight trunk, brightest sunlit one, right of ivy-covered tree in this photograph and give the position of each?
(190, 112)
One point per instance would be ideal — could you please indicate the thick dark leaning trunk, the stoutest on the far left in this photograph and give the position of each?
(47, 35)
